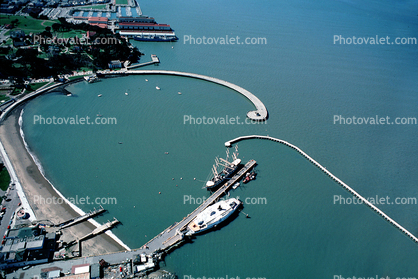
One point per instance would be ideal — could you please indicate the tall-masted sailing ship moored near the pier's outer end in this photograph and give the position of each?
(229, 169)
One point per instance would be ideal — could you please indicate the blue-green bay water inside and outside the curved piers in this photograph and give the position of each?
(304, 80)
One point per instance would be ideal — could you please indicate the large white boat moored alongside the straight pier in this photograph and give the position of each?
(213, 215)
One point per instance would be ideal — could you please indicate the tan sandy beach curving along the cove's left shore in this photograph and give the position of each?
(34, 184)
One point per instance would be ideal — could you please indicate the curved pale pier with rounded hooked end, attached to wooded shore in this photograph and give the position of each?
(260, 114)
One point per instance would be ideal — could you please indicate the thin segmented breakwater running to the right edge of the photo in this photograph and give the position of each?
(336, 179)
